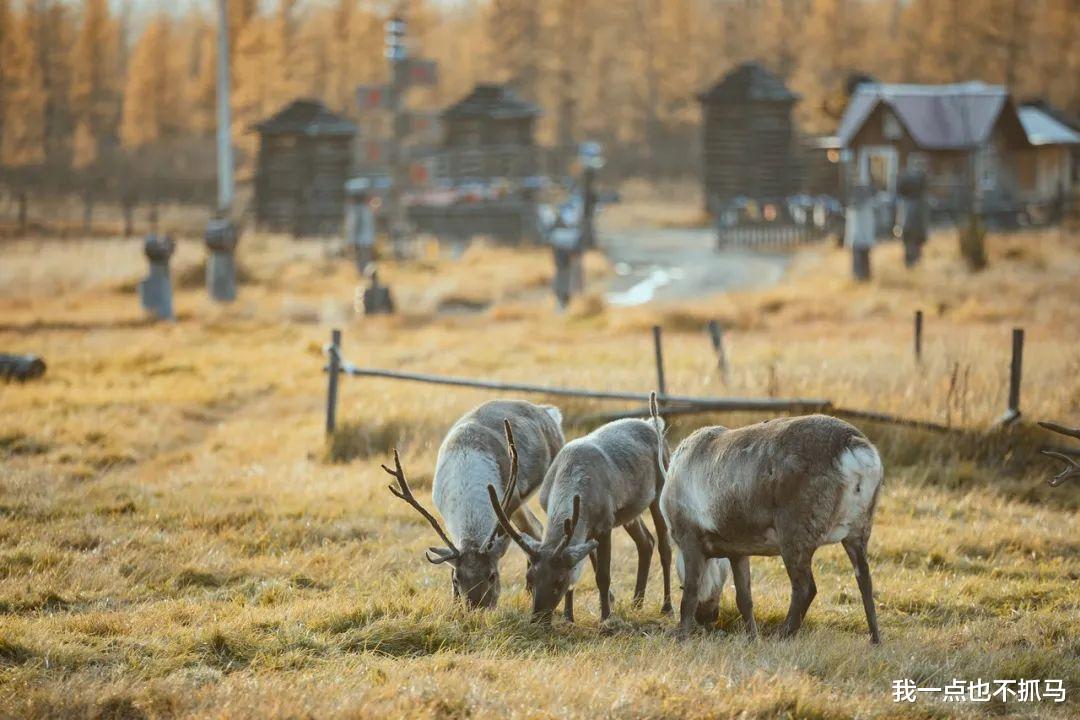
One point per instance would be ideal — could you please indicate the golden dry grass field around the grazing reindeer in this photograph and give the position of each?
(179, 539)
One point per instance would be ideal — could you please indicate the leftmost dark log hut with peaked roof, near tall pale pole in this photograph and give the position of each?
(305, 158)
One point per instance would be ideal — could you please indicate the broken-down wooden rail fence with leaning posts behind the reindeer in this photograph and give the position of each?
(672, 405)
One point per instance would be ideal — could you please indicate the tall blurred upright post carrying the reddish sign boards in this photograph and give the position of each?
(398, 57)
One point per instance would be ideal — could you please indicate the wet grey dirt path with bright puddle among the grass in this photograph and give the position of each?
(660, 264)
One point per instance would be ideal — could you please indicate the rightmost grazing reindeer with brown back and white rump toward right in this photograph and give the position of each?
(784, 487)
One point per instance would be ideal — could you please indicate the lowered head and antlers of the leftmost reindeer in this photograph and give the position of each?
(475, 568)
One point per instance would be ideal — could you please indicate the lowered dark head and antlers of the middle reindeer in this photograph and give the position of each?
(552, 570)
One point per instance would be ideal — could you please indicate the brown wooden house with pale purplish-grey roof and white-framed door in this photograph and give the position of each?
(966, 138)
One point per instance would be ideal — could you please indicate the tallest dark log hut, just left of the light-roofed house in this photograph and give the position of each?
(749, 138)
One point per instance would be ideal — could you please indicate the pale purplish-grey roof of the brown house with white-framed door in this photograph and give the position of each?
(954, 117)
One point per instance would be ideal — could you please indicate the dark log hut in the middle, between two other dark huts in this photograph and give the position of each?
(488, 135)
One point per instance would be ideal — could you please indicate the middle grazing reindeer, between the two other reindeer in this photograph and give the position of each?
(597, 483)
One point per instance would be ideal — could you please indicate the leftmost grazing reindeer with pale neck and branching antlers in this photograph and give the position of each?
(504, 444)
